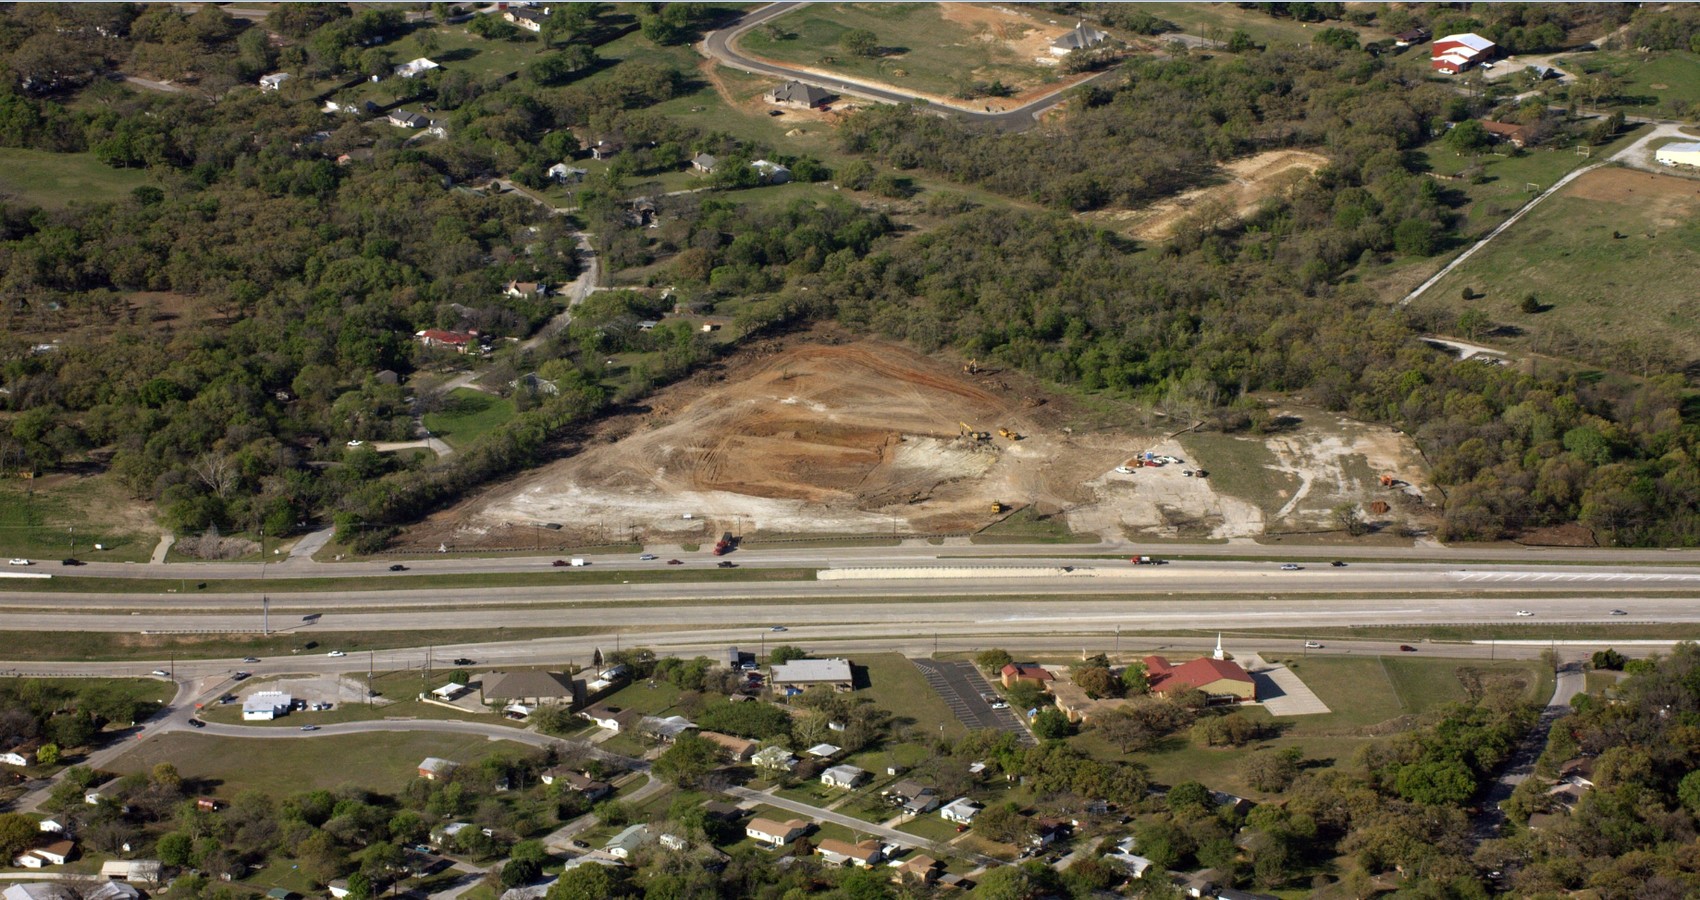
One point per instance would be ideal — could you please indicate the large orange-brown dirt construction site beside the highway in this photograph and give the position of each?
(864, 438)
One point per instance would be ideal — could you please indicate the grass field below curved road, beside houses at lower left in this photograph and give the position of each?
(288, 766)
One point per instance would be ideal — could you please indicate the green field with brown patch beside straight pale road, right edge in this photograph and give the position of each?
(1633, 287)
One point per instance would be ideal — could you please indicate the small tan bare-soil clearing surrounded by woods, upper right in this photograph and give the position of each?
(1249, 183)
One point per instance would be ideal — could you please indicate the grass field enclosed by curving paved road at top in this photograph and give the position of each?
(922, 47)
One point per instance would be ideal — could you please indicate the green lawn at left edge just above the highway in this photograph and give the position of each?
(42, 520)
